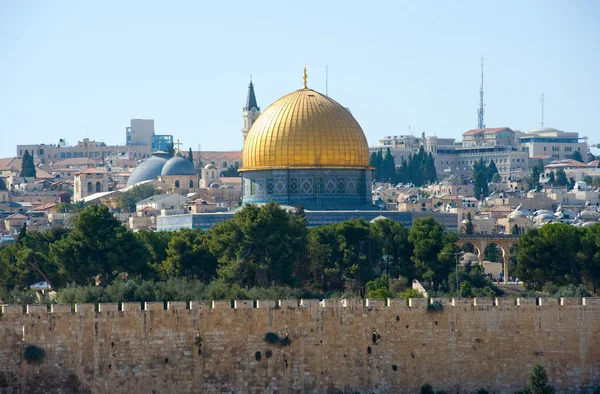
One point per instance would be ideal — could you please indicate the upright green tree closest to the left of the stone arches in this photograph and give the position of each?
(434, 250)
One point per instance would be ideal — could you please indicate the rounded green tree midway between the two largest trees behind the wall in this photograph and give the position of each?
(188, 256)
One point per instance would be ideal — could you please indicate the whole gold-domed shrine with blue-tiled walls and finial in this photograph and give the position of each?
(306, 149)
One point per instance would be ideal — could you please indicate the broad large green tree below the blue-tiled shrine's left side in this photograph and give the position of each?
(259, 246)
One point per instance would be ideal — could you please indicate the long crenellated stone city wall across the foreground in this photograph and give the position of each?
(332, 346)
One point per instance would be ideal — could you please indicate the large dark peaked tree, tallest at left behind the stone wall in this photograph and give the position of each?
(98, 249)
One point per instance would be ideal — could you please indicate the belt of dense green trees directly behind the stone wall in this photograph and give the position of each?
(271, 248)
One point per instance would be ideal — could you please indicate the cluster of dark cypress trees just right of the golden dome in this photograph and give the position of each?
(419, 169)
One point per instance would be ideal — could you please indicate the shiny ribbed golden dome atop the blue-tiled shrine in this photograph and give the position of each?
(305, 129)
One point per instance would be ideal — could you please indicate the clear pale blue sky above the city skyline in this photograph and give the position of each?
(70, 66)
